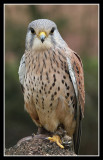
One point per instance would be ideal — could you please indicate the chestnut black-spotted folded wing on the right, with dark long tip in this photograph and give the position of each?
(75, 68)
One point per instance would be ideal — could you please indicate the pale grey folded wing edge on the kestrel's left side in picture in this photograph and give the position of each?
(21, 72)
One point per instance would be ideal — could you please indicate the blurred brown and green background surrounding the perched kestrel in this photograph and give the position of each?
(78, 25)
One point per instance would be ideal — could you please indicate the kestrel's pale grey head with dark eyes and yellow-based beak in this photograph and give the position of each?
(42, 34)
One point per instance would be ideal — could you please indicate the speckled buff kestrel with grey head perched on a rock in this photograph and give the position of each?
(52, 80)
